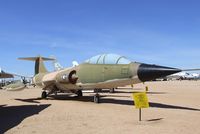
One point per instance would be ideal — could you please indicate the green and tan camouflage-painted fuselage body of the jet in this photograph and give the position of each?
(91, 76)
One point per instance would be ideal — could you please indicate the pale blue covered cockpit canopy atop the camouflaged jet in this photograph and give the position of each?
(108, 59)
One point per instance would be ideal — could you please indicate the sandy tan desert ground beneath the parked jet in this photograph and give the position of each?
(174, 108)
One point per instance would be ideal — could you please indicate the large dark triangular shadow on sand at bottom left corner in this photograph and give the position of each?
(11, 116)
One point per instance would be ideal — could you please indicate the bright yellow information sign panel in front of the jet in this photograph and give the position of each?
(141, 100)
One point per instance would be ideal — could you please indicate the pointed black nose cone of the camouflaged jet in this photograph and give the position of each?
(147, 72)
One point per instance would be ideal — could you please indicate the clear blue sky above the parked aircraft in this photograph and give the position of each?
(164, 32)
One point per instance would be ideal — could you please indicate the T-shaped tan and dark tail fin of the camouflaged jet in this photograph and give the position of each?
(39, 64)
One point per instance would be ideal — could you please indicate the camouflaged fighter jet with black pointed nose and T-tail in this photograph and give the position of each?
(106, 71)
